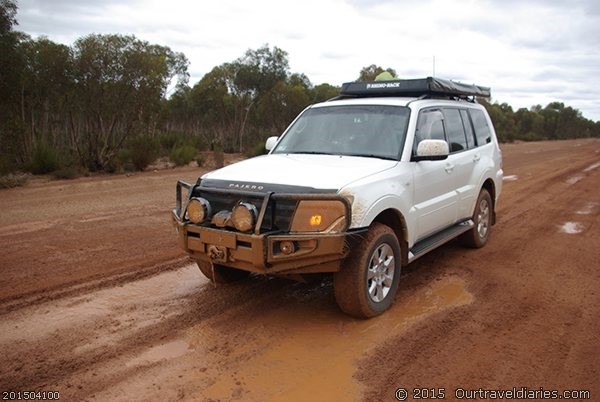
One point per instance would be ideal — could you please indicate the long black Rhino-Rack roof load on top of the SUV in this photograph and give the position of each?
(413, 88)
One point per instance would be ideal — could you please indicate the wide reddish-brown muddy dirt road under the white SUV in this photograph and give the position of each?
(98, 303)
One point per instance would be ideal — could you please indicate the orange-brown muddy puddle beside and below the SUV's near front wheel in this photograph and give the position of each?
(315, 359)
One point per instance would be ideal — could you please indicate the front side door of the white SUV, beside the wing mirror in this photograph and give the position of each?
(435, 197)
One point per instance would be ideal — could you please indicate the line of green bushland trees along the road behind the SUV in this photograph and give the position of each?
(102, 103)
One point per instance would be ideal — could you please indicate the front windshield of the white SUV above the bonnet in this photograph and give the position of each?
(354, 130)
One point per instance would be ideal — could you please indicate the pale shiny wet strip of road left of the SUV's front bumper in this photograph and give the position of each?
(109, 315)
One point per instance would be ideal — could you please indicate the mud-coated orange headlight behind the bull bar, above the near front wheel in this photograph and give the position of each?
(319, 216)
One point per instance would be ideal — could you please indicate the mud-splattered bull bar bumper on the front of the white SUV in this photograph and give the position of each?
(265, 253)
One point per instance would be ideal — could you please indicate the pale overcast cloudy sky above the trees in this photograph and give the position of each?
(528, 52)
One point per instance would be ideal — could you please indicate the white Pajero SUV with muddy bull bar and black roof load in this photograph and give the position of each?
(358, 186)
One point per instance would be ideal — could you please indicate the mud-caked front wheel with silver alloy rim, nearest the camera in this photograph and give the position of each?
(367, 283)
